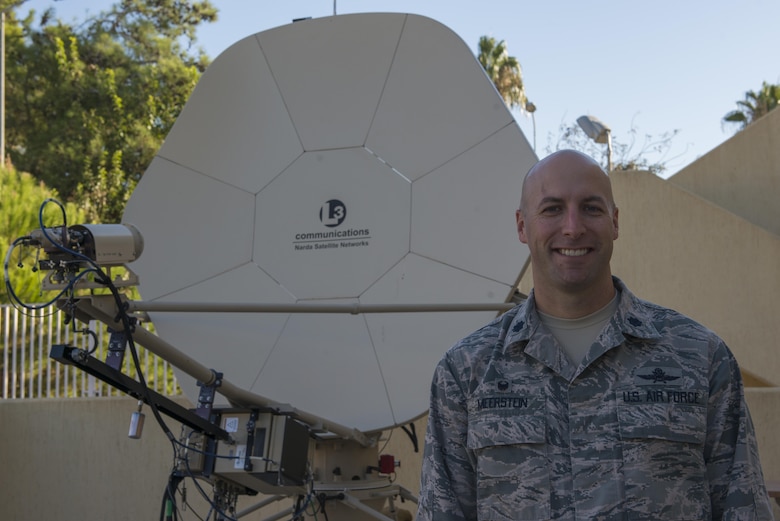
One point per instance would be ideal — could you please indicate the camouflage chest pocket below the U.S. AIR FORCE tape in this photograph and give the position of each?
(663, 460)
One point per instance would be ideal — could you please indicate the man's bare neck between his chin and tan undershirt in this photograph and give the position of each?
(569, 304)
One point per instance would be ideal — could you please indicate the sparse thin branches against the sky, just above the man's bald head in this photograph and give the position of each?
(625, 156)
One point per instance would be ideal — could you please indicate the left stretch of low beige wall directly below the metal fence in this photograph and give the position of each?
(72, 460)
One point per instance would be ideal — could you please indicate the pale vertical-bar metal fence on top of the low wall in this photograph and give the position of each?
(28, 372)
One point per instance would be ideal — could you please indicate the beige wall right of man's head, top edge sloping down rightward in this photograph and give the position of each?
(681, 251)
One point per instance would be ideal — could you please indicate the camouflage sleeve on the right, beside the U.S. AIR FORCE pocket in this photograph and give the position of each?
(737, 488)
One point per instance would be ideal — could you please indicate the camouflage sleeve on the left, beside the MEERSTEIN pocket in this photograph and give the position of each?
(447, 484)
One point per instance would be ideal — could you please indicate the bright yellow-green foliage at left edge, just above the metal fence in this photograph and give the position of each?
(21, 197)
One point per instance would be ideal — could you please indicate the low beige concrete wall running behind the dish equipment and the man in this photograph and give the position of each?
(72, 460)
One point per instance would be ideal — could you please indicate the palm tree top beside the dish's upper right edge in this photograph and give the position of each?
(504, 71)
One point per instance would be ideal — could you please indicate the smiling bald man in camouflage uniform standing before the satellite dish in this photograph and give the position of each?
(585, 402)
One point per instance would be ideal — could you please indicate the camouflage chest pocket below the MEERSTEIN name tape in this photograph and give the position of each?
(510, 449)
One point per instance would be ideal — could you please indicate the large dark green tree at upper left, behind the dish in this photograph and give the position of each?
(89, 106)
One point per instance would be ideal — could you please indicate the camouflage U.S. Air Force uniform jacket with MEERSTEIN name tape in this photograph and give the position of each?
(651, 425)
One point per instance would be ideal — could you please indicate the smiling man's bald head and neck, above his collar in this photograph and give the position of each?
(569, 221)
